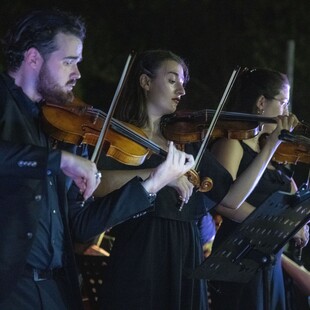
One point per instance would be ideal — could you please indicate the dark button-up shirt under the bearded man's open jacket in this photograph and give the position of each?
(47, 247)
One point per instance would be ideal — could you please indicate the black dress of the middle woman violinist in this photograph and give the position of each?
(154, 255)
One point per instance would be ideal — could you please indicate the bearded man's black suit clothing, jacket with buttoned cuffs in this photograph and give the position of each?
(26, 165)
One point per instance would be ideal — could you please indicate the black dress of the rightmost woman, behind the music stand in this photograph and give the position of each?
(249, 296)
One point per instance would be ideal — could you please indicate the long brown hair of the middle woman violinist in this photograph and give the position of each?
(132, 106)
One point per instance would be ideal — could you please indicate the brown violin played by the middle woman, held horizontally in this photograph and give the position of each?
(185, 127)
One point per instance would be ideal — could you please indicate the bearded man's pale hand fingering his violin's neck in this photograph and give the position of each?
(176, 164)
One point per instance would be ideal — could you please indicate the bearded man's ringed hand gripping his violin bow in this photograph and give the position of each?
(82, 171)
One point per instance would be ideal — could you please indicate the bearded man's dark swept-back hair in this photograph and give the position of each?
(38, 29)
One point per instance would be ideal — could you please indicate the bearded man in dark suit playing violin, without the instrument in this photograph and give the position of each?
(41, 186)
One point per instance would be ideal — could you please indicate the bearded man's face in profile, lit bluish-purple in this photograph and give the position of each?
(59, 73)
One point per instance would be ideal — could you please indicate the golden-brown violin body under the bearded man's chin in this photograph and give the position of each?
(79, 123)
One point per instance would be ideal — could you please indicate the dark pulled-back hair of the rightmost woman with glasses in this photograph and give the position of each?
(251, 84)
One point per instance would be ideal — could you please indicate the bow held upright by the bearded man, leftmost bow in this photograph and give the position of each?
(105, 127)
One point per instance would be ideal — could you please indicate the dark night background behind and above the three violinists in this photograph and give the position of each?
(213, 37)
